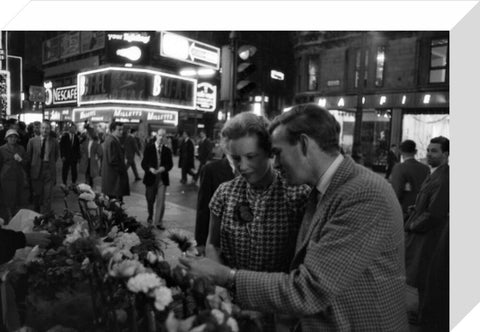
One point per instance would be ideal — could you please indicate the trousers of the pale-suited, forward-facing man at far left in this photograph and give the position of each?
(43, 189)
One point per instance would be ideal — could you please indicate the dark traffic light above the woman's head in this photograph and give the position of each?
(245, 69)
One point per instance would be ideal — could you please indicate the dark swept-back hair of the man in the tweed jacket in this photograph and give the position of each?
(313, 121)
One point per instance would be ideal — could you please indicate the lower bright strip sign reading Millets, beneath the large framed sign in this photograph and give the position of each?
(127, 115)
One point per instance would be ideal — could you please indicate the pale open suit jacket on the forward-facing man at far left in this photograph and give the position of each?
(34, 148)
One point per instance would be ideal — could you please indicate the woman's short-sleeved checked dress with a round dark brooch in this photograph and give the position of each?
(264, 239)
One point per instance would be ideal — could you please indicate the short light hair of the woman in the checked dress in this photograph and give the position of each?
(248, 124)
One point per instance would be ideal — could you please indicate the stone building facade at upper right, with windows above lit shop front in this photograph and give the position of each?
(383, 87)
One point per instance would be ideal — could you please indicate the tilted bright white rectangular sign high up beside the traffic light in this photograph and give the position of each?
(189, 50)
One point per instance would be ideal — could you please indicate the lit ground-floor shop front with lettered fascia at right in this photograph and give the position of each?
(389, 119)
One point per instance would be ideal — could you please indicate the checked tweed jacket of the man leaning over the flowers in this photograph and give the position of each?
(348, 272)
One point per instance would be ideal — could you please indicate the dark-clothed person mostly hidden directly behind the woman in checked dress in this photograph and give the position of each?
(213, 174)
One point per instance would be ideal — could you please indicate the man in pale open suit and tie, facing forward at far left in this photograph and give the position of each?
(42, 154)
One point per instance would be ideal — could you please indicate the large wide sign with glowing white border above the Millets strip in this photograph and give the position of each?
(120, 85)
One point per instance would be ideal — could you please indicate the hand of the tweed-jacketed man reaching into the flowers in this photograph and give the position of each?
(205, 267)
